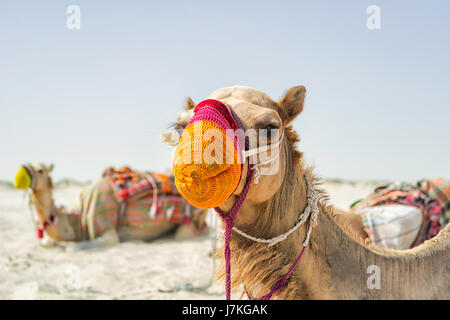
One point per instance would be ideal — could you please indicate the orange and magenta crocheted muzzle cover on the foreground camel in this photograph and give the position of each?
(207, 162)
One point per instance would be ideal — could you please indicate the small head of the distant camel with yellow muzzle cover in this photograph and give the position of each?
(35, 176)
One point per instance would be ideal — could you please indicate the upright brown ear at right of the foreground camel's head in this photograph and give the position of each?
(291, 105)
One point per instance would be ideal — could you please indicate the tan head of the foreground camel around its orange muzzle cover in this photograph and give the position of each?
(258, 111)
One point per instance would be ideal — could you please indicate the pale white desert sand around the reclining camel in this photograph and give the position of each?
(130, 270)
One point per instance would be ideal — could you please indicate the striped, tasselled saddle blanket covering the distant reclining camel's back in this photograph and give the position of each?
(124, 198)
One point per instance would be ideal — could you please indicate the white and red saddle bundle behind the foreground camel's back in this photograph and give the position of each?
(399, 216)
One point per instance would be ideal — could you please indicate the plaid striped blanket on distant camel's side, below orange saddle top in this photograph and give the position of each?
(98, 210)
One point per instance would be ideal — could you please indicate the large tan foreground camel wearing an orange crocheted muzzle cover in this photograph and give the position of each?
(338, 263)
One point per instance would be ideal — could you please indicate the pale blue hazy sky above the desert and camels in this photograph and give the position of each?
(377, 105)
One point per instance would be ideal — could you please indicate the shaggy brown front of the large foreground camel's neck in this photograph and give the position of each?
(270, 219)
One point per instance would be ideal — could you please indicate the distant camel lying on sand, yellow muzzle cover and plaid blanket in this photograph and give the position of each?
(95, 219)
